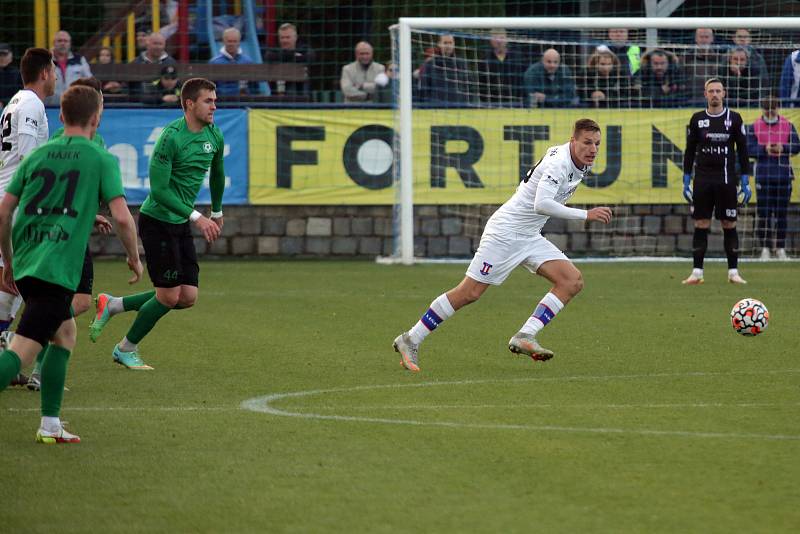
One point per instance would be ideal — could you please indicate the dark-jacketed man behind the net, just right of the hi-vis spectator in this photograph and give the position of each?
(660, 80)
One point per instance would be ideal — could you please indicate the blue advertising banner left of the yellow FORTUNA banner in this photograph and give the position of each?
(131, 135)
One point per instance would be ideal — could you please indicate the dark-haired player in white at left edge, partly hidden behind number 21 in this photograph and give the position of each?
(23, 127)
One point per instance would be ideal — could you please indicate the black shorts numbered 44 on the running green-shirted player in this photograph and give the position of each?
(169, 252)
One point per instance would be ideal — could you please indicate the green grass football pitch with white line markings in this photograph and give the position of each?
(654, 416)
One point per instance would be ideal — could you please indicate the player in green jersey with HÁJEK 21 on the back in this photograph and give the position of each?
(58, 188)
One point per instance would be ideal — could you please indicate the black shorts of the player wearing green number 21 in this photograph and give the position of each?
(47, 305)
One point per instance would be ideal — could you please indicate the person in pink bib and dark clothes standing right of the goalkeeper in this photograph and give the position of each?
(772, 139)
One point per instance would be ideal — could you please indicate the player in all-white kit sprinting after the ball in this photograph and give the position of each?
(512, 237)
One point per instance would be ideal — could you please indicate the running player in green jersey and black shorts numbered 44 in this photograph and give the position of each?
(187, 149)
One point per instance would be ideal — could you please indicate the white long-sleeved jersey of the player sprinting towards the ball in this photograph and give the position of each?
(557, 173)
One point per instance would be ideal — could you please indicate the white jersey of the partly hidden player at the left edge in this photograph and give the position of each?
(24, 115)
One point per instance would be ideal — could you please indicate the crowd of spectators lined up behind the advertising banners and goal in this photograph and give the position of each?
(610, 73)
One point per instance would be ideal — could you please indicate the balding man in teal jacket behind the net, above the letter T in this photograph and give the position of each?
(549, 83)
